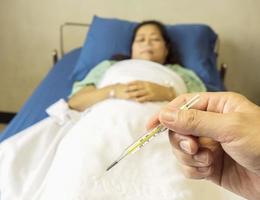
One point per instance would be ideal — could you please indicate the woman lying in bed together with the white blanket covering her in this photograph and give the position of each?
(63, 160)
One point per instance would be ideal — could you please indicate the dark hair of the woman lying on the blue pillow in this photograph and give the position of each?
(172, 57)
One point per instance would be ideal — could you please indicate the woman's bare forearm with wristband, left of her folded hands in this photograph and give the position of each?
(90, 95)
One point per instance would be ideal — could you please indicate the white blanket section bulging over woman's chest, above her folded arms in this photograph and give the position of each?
(131, 70)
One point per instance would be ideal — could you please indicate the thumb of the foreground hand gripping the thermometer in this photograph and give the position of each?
(195, 122)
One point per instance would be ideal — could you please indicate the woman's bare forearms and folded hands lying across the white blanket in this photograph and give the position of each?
(141, 91)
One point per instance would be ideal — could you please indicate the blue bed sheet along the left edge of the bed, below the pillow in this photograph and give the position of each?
(57, 84)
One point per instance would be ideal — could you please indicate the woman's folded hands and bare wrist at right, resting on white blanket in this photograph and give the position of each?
(143, 91)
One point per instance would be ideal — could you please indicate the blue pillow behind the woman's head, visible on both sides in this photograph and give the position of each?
(195, 44)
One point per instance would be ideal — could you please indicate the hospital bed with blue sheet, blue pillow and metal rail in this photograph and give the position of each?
(197, 43)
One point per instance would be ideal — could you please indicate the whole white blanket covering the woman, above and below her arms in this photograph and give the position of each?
(62, 158)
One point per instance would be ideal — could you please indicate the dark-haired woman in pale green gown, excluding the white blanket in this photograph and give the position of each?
(150, 42)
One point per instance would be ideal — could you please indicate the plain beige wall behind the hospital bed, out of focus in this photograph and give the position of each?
(30, 32)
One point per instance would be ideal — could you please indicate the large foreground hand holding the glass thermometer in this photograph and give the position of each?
(218, 140)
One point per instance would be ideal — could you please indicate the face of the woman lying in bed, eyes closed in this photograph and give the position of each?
(149, 45)
